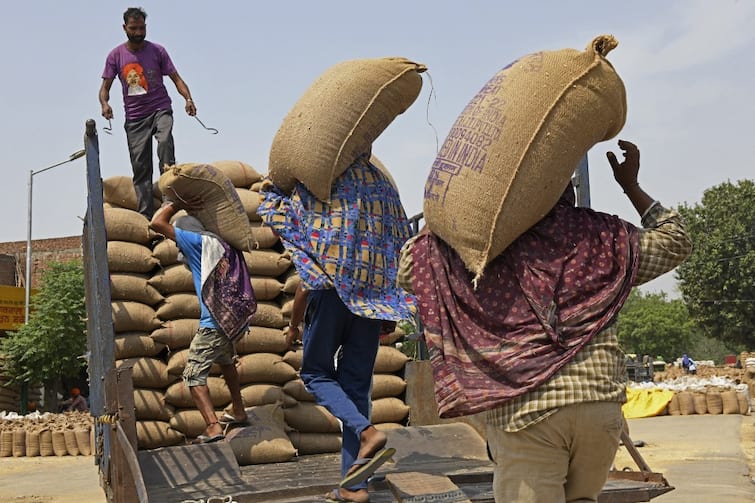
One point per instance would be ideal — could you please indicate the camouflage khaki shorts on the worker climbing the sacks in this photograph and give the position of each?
(207, 347)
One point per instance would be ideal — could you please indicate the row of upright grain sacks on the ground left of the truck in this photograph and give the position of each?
(68, 434)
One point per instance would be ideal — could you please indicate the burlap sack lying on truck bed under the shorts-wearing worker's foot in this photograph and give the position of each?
(265, 440)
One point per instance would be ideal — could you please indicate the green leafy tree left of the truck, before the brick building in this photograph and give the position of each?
(48, 346)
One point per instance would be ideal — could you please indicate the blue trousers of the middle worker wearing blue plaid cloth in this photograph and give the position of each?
(344, 389)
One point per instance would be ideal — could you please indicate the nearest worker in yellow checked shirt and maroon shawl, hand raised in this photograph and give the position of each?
(535, 342)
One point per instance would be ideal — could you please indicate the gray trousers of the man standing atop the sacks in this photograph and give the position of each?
(139, 136)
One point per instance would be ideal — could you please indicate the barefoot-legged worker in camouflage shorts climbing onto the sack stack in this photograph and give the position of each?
(227, 303)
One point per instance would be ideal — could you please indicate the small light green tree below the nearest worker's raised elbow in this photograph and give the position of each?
(651, 324)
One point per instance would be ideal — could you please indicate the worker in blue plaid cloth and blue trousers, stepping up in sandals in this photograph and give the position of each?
(346, 254)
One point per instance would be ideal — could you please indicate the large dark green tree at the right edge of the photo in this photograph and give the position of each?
(718, 280)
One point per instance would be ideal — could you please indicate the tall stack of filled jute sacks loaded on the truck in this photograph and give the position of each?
(156, 313)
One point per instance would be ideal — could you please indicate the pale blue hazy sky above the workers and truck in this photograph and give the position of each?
(688, 67)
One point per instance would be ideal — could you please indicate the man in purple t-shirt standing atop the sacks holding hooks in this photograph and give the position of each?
(140, 66)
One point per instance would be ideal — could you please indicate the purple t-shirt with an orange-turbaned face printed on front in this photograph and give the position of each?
(141, 75)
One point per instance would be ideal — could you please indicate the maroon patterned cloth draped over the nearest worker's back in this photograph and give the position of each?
(536, 305)
